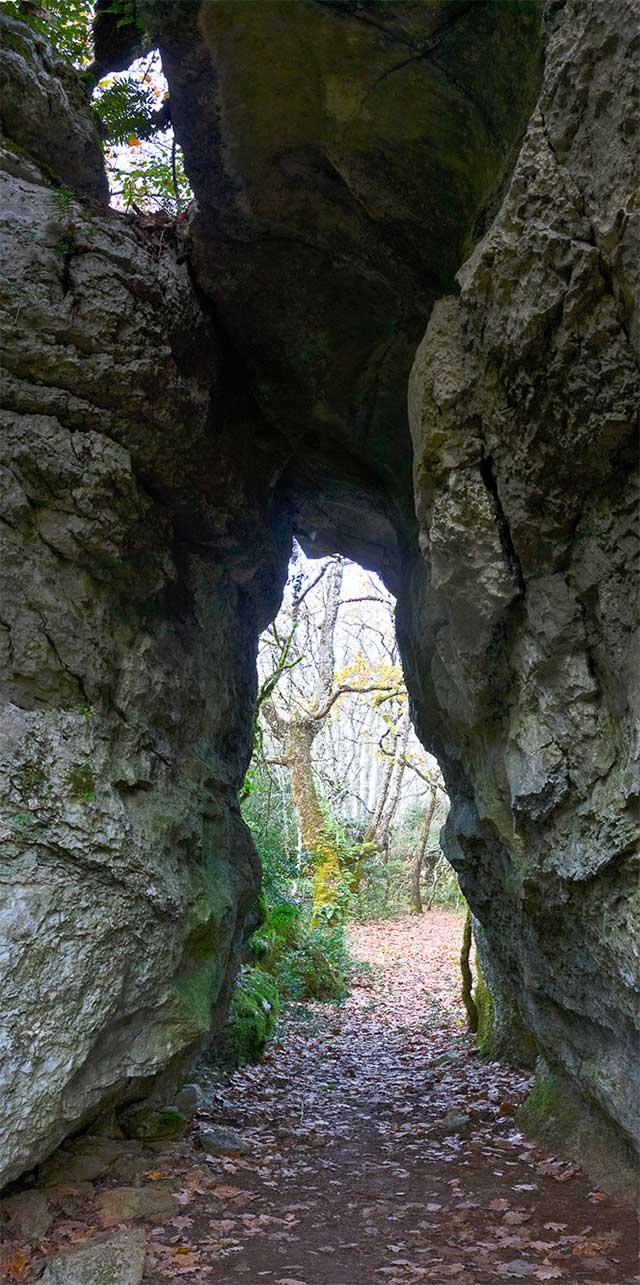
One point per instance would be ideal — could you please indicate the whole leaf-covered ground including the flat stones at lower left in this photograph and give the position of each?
(371, 1147)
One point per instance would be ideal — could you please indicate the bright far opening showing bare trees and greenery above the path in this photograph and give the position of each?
(339, 781)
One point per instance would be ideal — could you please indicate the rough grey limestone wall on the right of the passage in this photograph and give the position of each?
(524, 407)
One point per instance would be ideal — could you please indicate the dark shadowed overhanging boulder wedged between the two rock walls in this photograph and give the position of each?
(341, 155)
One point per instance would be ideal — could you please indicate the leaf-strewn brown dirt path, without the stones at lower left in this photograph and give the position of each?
(360, 1171)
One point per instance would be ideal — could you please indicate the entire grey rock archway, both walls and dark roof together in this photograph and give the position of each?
(178, 404)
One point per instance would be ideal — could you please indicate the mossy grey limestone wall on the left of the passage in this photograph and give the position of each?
(130, 607)
